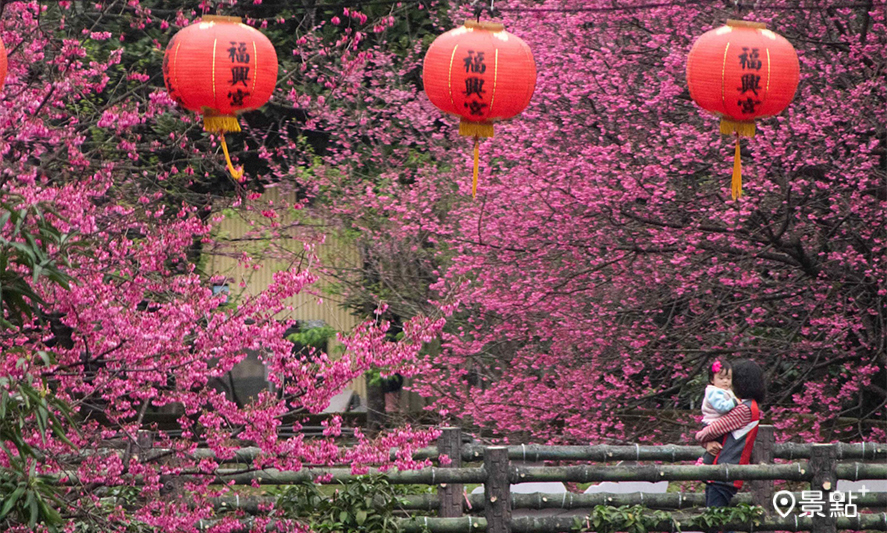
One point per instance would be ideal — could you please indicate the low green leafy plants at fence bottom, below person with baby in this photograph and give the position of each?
(639, 519)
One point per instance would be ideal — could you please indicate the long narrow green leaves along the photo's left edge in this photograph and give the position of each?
(32, 251)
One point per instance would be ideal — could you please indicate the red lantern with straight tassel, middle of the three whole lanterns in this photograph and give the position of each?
(481, 73)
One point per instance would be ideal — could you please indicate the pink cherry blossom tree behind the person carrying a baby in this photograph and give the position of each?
(603, 265)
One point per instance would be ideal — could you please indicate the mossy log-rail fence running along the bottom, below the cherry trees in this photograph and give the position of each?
(820, 465)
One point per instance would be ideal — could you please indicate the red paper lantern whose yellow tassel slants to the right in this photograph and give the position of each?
(219, 68)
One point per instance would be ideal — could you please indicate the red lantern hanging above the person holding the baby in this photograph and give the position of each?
(740, 72)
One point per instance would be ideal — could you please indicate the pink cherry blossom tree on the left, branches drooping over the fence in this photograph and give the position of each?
(109, 193)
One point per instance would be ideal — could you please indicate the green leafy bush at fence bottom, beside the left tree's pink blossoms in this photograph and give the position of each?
(365, 505)
